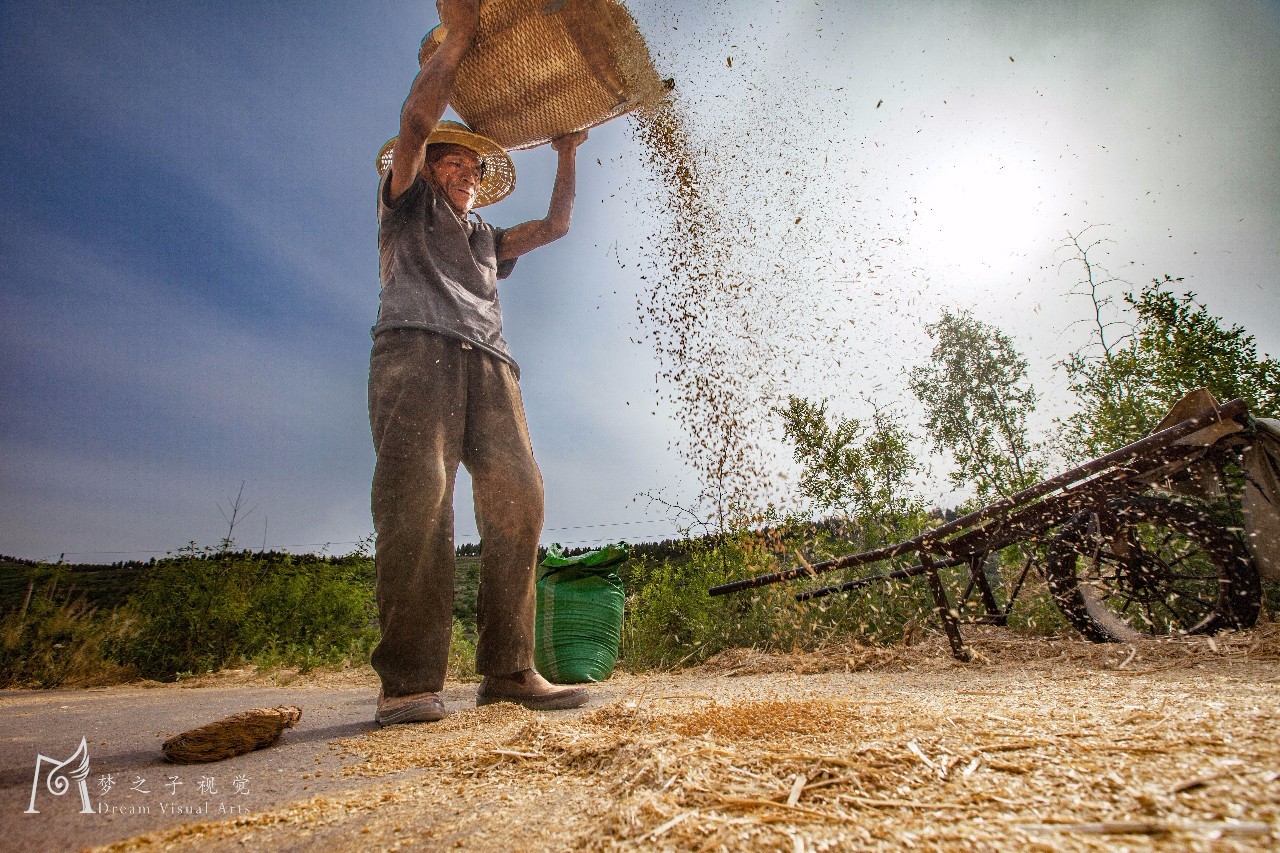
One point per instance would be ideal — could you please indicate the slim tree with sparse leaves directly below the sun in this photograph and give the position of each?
(977, 399)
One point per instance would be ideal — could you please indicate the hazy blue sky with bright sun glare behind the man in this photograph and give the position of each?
(189, 268)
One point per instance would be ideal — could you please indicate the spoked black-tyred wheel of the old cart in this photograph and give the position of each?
(1149, 565)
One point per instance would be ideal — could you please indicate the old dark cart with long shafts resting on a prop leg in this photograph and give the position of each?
(1123, 553)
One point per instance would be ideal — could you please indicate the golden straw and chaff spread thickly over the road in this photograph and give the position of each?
(1045, 745)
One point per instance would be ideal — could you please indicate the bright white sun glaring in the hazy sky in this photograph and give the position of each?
(985, 211)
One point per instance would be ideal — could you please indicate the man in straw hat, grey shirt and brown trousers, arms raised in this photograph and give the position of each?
(444, 390)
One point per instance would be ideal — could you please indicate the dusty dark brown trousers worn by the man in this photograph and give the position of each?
(433, 405)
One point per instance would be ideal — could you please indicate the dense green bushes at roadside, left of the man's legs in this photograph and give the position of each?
(202, 613)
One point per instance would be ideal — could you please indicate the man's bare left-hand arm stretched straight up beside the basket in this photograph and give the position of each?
(432, 92)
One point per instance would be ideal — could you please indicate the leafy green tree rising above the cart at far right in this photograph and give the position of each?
(1126, 387)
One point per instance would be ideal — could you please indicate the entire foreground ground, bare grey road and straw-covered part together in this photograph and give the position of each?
(1052, 745)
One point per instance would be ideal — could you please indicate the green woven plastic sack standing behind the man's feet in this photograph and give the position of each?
(579, 623)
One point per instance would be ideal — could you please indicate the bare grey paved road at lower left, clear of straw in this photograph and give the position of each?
(132, 790)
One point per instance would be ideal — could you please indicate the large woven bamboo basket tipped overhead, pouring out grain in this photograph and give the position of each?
(532, 77)
